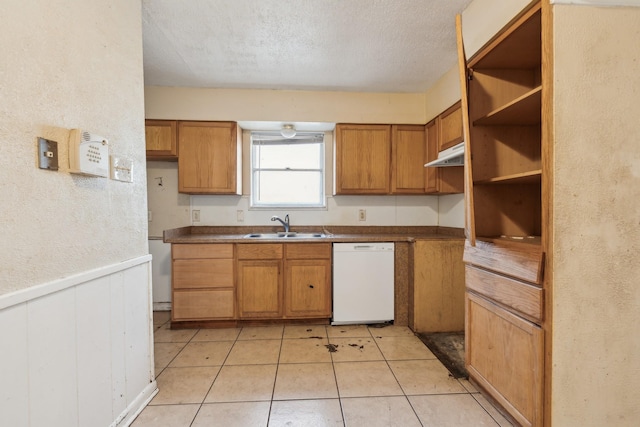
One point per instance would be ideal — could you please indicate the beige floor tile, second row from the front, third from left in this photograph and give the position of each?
(305, 381)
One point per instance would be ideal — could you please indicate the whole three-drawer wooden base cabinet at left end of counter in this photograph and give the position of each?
(202, 282)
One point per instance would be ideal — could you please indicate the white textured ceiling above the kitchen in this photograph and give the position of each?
(327, 45)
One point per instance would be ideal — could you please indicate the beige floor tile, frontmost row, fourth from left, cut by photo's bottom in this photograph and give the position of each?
(379, 411)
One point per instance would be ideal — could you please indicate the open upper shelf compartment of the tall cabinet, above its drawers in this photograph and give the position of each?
(504, 143)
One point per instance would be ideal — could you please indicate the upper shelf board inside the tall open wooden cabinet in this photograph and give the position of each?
(524, 110)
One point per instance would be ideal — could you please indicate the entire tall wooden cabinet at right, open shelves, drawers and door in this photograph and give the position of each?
(503, 87)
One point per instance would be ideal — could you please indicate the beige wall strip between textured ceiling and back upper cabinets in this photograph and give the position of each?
(282, 105)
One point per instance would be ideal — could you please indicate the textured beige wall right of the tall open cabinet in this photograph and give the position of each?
(596, 343)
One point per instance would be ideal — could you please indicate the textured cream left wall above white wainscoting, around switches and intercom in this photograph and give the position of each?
(73, 64)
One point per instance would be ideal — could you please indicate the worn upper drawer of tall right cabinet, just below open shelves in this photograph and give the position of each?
(522, 261)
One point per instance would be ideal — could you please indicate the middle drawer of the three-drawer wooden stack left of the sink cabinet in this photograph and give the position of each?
(202, 273)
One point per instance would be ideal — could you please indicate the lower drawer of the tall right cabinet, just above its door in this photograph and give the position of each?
(526, 299)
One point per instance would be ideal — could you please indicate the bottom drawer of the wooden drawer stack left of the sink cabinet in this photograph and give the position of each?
(202, 305)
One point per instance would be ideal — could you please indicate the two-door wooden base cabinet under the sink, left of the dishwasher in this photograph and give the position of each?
(284, 281)
